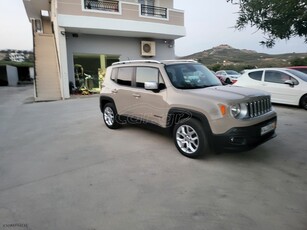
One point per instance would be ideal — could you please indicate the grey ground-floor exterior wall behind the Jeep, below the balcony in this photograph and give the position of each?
(125, 48)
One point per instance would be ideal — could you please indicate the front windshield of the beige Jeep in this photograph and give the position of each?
(191, 76)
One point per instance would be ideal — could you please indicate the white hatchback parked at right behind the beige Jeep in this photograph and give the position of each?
(286, 86)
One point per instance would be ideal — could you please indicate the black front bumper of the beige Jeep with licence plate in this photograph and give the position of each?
(245, 138)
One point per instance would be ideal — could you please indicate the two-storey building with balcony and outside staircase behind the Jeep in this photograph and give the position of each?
(75, 40)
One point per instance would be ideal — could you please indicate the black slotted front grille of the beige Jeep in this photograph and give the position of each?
(259, 107)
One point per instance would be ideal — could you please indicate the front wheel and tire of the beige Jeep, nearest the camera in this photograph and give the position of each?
(190, 139)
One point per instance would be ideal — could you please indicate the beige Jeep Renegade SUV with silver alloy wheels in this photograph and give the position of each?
(185, 97)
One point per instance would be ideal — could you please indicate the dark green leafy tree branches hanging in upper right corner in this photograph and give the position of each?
(278, 19)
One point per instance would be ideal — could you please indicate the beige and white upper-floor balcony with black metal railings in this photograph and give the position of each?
(120, 18)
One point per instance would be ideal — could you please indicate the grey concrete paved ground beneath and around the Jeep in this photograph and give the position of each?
(62, 169)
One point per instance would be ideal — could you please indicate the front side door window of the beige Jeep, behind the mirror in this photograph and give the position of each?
(145, 74)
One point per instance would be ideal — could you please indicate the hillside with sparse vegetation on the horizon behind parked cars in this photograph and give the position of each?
(227, 55)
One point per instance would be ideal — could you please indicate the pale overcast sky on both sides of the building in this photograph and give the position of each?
(208, 23)
